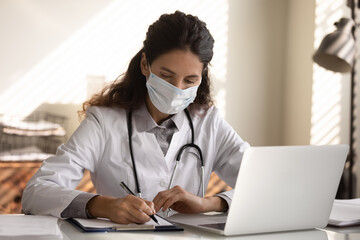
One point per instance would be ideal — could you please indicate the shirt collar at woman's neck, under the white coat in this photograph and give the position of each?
(145, 123)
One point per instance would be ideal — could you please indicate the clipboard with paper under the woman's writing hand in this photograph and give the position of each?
(105, 225)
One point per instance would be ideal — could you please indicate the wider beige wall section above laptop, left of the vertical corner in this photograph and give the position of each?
(257, 31)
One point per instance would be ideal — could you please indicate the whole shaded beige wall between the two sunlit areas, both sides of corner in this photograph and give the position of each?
(271, 70)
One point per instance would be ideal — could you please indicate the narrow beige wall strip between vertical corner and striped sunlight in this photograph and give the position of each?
(298, 73)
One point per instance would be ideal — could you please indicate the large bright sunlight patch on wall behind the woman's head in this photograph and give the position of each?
(103, 47)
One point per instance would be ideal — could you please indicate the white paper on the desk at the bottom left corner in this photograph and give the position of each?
(29, 225)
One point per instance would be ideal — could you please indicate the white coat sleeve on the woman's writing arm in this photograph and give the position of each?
(52, 188)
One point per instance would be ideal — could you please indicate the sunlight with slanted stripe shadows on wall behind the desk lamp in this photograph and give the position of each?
(328, 87)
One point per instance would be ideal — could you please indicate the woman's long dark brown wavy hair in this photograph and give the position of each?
(169, 32)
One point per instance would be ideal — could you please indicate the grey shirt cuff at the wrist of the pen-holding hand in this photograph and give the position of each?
(77, 208)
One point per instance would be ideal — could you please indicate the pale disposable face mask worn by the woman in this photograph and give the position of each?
(166, 97)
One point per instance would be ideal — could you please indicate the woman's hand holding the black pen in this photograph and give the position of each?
(129, 209)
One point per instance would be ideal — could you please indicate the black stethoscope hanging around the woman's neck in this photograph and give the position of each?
(178, 156)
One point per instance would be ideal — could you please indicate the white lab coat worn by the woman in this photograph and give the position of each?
(100, 145)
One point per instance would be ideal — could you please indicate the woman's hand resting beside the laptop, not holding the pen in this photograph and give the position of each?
(182, 201)
